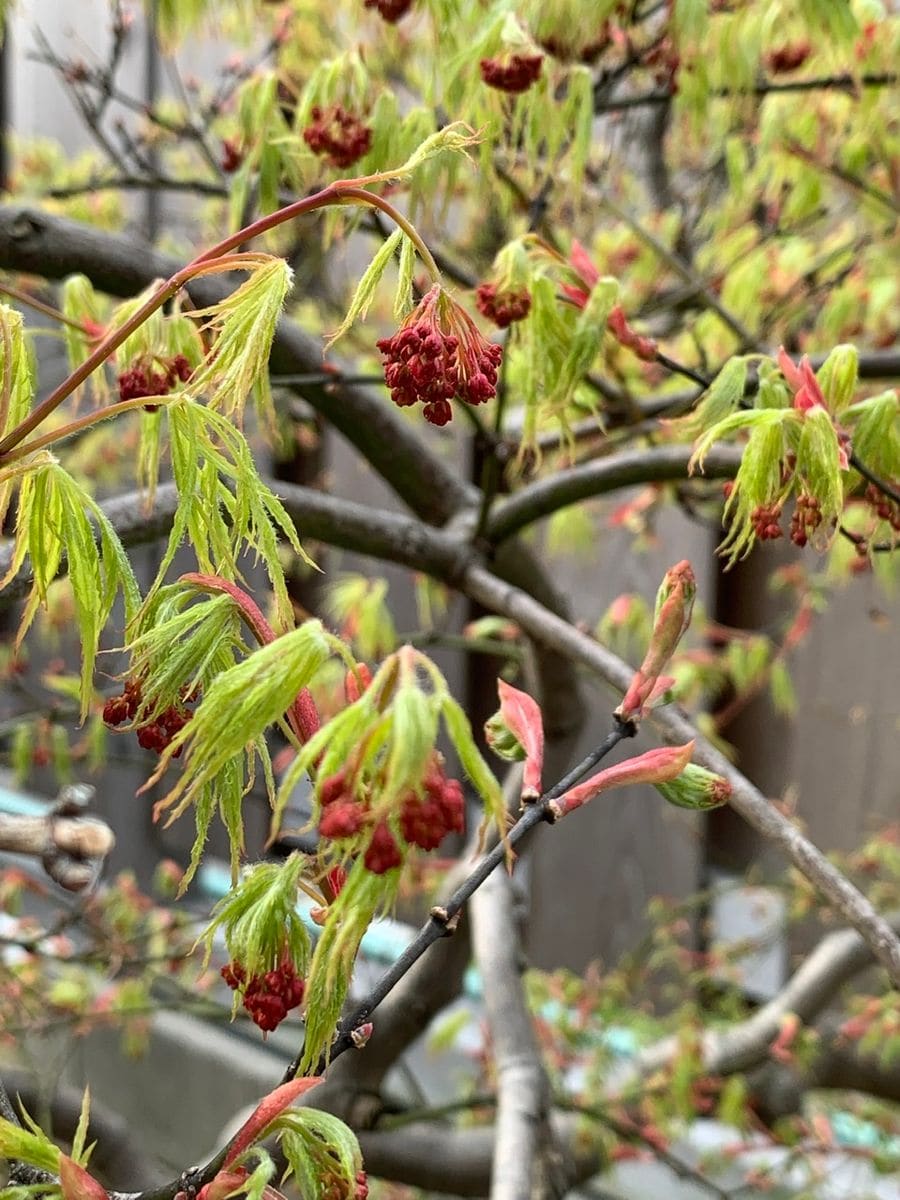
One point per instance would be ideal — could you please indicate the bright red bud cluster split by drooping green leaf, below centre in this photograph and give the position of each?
(424, 820)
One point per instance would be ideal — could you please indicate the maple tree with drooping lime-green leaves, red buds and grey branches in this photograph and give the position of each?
(548, 286)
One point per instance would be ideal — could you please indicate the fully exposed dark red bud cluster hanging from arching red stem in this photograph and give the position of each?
(437, 355)
